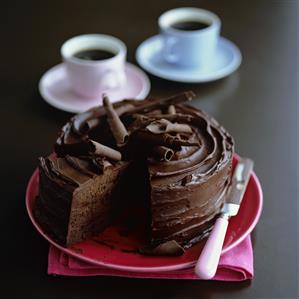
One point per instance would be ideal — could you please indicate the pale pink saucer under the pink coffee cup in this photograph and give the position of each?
(55, 89)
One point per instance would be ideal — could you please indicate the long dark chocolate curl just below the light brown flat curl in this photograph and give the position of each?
(173, 142)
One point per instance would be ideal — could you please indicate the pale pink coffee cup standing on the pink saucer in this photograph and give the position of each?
(90, 78)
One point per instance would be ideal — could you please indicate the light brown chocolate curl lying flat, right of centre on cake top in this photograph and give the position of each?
(165, 126)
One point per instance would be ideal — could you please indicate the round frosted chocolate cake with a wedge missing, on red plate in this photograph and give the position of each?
(177, 157)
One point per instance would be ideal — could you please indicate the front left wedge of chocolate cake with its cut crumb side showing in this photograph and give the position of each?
(75, 201)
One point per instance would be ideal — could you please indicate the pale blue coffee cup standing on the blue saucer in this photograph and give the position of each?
(194, 48)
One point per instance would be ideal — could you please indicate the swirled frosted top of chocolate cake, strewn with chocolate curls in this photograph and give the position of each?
(176, 139)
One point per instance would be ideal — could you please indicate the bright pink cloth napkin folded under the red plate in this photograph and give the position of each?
(234, 265)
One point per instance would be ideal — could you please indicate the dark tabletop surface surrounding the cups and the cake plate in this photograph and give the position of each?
(258, 104)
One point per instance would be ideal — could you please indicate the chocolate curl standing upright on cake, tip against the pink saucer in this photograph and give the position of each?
(118, 129)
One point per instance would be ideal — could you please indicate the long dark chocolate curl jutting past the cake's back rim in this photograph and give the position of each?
(149, 105)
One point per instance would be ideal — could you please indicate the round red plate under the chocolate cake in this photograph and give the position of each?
(120, 255)
